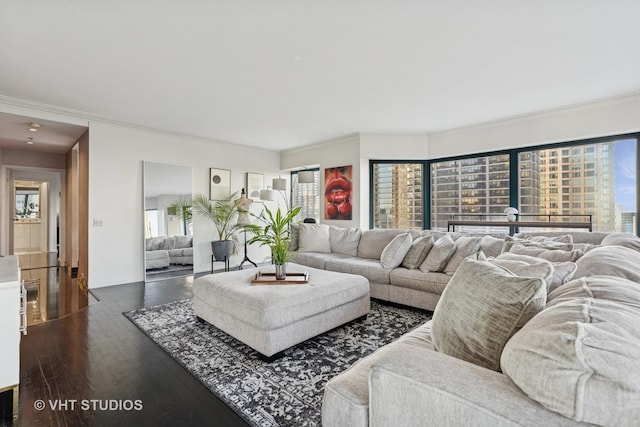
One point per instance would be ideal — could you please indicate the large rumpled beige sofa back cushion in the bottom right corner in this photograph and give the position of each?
(579, 356)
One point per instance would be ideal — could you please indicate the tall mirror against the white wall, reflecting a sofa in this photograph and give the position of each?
(167, 221)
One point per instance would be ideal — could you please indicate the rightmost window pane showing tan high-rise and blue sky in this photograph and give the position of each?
(587, 179)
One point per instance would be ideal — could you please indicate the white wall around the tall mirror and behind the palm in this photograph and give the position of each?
(115, 194)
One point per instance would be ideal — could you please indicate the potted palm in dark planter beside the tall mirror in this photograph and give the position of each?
(224, 216)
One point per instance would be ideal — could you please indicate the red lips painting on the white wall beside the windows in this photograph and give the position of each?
(337, 192)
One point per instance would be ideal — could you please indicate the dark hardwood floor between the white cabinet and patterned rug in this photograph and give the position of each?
(97, 354)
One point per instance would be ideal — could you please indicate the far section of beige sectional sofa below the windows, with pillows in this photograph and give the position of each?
(403, 266)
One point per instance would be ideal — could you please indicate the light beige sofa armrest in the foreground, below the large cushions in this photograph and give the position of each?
(430, 388)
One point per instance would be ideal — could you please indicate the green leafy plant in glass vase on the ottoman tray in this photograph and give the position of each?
(276, 233)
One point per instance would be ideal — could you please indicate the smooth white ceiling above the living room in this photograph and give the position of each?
(280, 74)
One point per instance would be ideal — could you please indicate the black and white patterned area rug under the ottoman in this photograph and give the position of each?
(286, 392)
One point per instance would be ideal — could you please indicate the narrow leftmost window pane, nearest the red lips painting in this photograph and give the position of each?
(398, 195)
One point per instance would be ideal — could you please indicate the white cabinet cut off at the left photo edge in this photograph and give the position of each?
(12, 306)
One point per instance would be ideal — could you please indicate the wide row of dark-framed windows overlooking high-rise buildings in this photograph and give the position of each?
(562, 182)
